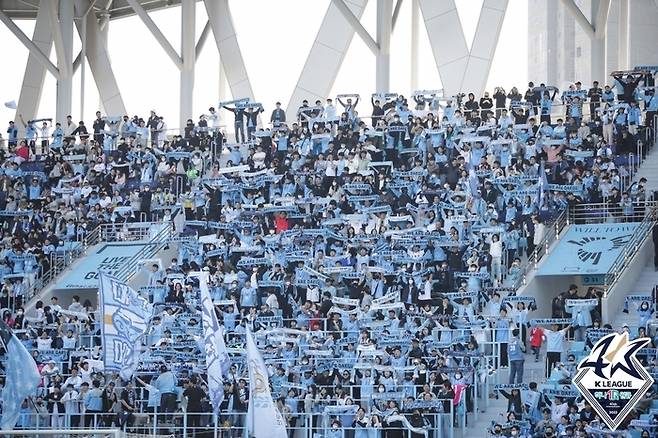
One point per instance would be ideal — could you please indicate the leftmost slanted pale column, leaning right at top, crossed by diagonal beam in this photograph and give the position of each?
(35, 71)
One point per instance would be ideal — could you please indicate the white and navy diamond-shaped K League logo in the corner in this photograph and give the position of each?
(611, 378)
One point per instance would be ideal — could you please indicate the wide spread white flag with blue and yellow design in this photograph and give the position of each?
(125, 316)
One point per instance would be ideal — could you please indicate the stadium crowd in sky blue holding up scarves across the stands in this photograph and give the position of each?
(376, 257)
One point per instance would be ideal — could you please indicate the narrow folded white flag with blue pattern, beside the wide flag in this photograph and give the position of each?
(217, 359)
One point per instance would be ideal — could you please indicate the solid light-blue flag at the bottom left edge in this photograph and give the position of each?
(21, 379)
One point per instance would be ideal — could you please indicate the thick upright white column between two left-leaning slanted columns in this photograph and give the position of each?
(188, 53)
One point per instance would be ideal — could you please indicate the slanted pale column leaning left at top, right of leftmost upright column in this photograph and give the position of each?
(99, 62)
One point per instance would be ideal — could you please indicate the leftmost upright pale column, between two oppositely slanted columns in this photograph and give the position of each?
(65, 65)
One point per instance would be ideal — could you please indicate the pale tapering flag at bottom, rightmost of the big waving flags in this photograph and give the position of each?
(263, 418)
